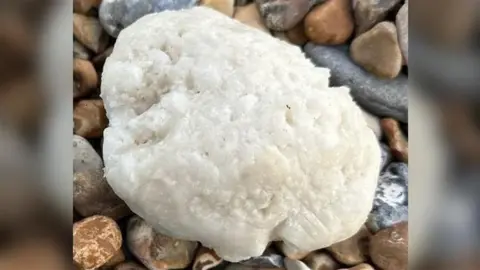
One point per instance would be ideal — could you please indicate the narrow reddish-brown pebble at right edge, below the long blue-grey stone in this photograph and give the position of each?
(396, 140)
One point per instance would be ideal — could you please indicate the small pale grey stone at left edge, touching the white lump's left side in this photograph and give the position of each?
(84, 156)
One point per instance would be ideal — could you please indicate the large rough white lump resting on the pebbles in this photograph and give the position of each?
(223, 134)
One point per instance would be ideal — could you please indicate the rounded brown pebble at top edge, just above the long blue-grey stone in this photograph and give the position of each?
(330, 23)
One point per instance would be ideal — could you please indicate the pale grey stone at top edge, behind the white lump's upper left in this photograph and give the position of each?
(116, 15)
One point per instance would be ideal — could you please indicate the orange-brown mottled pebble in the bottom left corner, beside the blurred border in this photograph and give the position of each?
(95, 241)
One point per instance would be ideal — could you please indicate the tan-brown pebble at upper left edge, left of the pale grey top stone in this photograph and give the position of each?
(89, 32)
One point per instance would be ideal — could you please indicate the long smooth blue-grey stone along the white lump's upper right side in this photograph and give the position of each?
(383, 98)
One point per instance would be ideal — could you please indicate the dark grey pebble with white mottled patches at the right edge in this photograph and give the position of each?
(390, 205)
